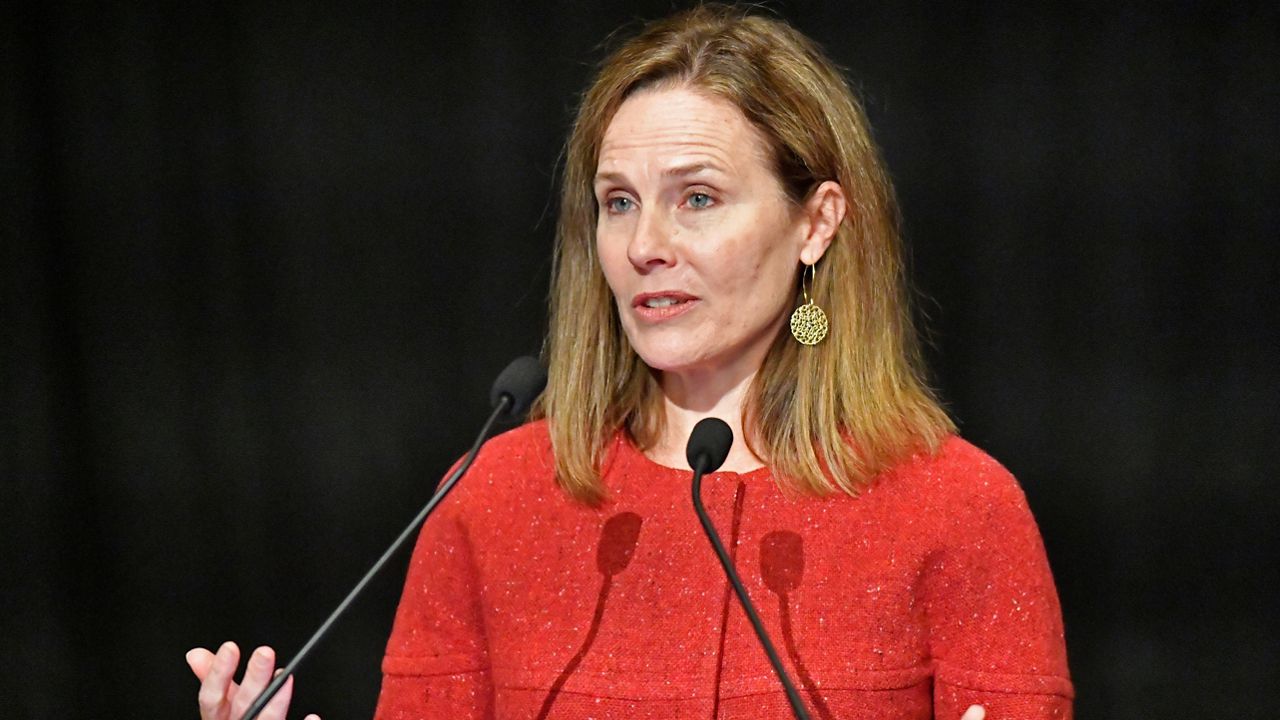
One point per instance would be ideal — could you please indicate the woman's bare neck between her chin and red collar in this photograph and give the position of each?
(688, 398)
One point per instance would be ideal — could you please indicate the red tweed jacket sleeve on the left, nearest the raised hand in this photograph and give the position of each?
(437, 662)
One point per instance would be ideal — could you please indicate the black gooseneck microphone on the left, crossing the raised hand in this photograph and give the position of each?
(513, 393)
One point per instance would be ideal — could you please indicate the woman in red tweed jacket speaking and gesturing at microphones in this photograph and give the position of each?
(721, 186)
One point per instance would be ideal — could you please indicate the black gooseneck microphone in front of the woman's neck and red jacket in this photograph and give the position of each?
(707, 450)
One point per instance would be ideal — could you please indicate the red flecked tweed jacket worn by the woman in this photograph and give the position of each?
(922, 596)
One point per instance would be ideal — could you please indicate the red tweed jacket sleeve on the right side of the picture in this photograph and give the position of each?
(995, 622)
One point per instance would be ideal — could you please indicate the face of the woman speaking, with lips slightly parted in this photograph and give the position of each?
(696, 235)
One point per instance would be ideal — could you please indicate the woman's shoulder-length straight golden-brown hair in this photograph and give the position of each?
(825, 418)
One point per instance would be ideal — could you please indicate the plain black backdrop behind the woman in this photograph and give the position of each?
(263, 261)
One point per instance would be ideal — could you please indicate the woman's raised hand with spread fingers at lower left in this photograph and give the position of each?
(221, 699)
